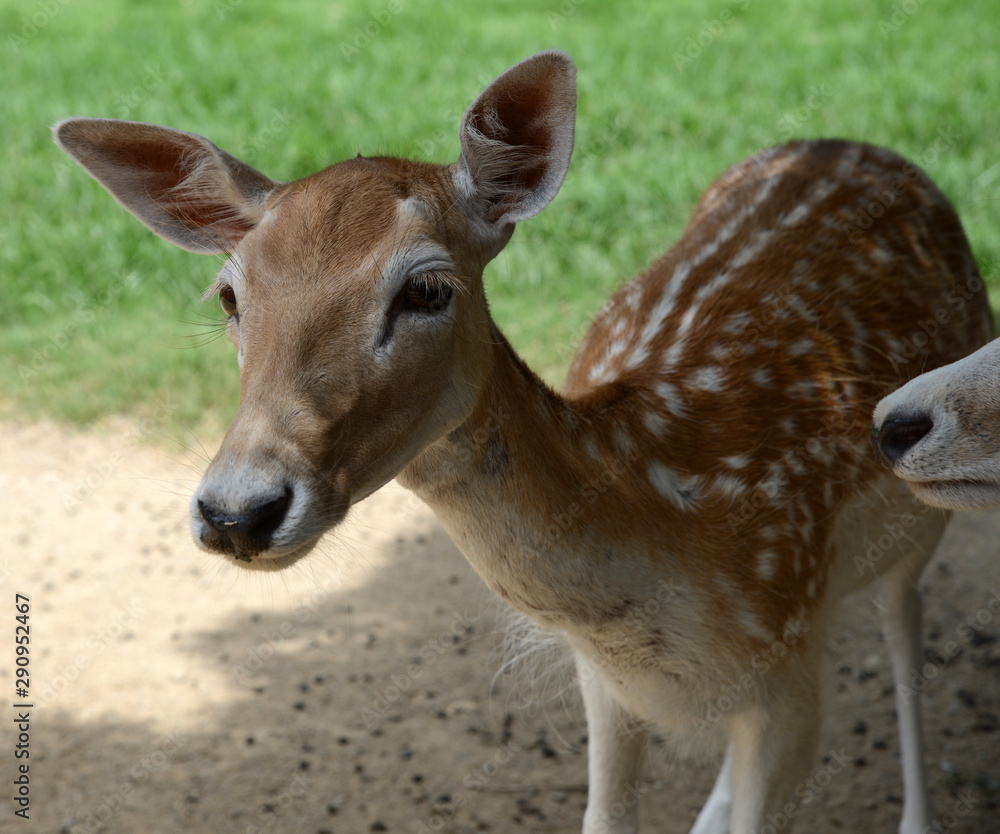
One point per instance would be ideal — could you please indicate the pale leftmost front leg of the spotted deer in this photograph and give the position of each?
(617, 748)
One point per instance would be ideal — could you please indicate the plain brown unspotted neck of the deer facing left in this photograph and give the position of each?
(525, 487)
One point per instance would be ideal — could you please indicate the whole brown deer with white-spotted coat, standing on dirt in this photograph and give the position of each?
(688, 503)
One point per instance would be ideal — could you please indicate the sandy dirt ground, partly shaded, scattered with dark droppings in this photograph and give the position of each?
(362, 691)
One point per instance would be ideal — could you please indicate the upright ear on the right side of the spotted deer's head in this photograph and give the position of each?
(517, 139)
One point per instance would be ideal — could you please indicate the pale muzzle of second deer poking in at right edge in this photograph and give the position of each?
(940, 432)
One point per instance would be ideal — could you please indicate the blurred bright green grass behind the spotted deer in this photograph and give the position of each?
(99, 317)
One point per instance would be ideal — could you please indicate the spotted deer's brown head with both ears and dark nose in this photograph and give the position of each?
(354, 297)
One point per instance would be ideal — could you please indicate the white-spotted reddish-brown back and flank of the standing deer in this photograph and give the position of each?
(744, 365)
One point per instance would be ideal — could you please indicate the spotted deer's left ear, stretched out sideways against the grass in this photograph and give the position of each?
(180, 185)
